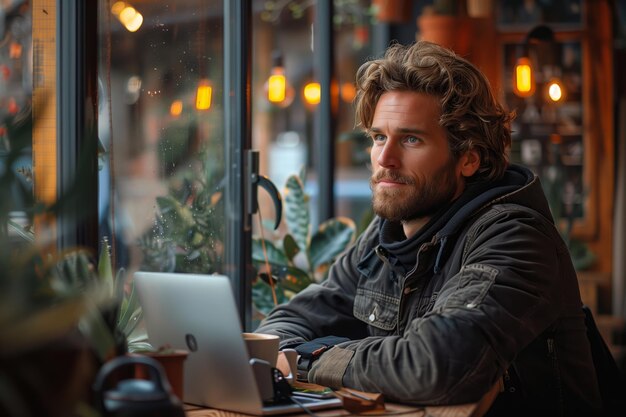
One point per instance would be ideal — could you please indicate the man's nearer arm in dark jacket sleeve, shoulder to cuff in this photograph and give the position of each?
(508, 291)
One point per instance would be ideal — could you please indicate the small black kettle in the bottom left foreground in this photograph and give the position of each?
(151, 397)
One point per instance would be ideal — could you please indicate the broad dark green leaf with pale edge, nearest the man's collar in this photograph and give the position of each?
(332, 238)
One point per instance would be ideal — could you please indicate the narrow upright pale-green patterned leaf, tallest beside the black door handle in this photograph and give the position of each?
(297, 211)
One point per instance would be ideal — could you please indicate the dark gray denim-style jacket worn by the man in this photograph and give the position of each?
(492, 294)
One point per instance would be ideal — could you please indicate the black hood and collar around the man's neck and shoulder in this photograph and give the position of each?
(518, 185)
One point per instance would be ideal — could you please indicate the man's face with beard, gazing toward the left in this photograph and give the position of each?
(414, 174)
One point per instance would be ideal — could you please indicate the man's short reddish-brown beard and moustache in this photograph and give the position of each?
(419, 198)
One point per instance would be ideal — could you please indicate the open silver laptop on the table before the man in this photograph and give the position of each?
(198, 313)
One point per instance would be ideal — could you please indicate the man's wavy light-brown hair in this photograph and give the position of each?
(470, 113)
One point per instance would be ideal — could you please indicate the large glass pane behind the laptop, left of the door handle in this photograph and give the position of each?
(161, 128)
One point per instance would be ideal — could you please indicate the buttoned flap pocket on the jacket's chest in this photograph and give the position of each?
(376, 309)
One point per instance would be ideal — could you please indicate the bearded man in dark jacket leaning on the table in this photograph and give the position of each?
(462, 279)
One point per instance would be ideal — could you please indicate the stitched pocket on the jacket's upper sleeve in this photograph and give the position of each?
(472, 285)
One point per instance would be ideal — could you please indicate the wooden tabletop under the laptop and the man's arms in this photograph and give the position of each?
(464, 410)
